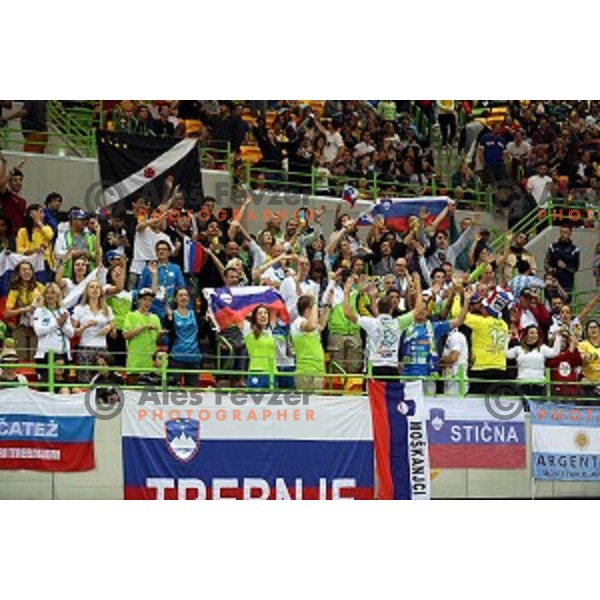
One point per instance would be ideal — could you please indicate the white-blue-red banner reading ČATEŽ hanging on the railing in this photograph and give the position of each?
(40, 432)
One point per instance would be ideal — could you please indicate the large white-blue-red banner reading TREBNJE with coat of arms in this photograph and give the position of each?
(217, 449)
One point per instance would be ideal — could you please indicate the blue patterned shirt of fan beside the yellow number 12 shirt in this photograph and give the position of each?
(420, 359)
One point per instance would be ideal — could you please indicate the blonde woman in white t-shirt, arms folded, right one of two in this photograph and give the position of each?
(93, 321)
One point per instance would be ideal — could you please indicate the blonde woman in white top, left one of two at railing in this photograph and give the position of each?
(52, 327)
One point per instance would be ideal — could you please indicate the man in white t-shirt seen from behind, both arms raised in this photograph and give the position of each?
(383, 332)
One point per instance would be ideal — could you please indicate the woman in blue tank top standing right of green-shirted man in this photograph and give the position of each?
(185, 328)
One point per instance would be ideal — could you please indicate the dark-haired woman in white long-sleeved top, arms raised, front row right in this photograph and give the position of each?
(531, 358)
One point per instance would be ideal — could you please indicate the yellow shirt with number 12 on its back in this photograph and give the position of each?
(488, 342)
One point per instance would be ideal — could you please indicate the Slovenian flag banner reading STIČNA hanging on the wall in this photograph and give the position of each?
(465, 434)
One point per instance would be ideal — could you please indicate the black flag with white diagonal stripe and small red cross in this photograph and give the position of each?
(132, 164)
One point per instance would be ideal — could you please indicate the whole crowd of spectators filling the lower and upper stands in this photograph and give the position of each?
(431, 300)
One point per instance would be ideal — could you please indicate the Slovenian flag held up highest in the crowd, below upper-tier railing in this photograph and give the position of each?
(396, 212)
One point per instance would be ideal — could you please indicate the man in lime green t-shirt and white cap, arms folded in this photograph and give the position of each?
(141, 330)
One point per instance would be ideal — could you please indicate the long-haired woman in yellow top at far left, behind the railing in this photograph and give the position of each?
(20, 305)
